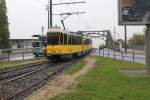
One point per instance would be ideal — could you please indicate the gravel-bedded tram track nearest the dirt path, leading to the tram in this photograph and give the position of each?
(24, 85)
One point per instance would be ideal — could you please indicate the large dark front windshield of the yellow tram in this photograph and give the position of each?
(53, 39)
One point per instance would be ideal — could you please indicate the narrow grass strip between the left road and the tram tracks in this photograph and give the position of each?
(13, 64)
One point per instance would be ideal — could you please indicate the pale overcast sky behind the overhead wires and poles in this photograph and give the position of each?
(26, 17)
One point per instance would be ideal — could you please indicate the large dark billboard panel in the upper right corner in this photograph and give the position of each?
(134, 12)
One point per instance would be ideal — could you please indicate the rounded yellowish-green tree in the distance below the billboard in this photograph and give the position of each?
(136, 39)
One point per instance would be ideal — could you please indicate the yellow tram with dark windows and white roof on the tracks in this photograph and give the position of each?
(61, 43)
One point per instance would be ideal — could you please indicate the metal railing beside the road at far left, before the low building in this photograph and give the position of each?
(8, 54)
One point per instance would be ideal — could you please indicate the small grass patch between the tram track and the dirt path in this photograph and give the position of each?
(76, 67)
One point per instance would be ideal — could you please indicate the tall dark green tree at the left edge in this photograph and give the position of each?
(4, 30)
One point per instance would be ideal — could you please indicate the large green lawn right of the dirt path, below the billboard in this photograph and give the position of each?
(104, 82)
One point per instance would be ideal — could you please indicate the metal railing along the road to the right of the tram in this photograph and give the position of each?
(119, 55)
